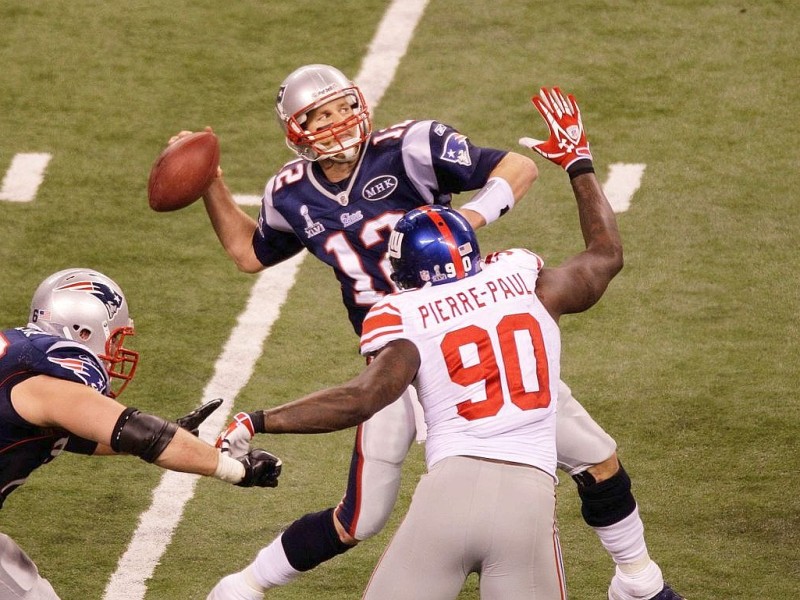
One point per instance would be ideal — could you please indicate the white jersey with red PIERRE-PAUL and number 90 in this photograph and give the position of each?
(489, 361)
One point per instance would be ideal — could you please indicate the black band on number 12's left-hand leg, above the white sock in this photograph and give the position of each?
(311, 540)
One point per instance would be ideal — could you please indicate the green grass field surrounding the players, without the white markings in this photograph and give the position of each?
(691, 360)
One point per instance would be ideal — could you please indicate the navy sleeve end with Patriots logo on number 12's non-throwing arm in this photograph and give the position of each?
(459, 164)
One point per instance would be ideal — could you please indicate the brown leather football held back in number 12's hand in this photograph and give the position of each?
(183, 171)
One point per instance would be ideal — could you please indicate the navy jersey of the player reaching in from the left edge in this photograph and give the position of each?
(26, 352)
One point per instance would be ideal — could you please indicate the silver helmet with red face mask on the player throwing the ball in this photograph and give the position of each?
(305, 90)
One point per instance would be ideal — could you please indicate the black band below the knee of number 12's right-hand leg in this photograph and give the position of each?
(607, 502)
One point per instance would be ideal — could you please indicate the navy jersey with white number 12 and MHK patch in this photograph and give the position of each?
(347, 224)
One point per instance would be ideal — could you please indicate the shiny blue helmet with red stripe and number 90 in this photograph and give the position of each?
(432, 245)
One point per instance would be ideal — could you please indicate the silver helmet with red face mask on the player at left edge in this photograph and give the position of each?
(88, 307)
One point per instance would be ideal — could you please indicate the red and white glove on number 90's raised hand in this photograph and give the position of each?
(567, 142)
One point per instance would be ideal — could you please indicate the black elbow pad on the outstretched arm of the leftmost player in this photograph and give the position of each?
(141, 434)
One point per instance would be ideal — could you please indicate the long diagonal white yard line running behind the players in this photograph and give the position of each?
(235, 366)
